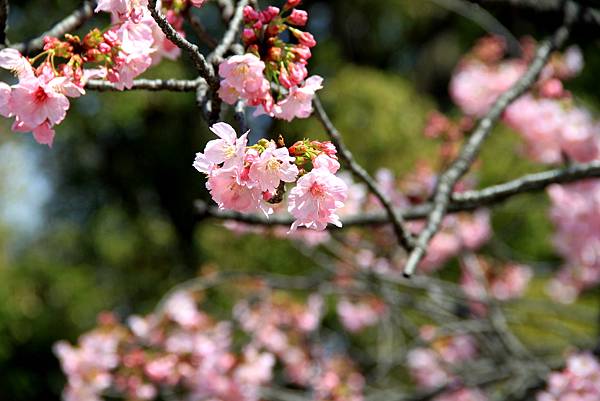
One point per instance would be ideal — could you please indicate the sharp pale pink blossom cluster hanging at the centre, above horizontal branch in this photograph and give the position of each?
(252, 178)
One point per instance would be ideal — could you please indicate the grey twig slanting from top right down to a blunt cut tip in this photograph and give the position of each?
(470, 149)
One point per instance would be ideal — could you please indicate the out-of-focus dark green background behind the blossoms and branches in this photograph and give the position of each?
(105, 220)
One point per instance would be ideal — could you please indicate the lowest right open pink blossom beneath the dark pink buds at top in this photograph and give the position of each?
(298, 103)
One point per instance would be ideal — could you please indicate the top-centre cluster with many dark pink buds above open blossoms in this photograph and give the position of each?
(272, 74)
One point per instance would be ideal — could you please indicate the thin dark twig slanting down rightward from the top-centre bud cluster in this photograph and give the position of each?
(404, 236)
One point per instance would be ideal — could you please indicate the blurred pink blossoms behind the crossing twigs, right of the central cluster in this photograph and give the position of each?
(460, 232)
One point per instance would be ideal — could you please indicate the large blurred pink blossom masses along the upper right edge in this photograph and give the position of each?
(555, 129)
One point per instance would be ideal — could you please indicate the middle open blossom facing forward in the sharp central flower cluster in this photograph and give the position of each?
(273, 165)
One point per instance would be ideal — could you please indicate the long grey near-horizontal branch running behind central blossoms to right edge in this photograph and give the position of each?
(464, 201)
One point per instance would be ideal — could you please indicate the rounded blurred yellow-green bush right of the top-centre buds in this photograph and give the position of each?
(380, 115)
